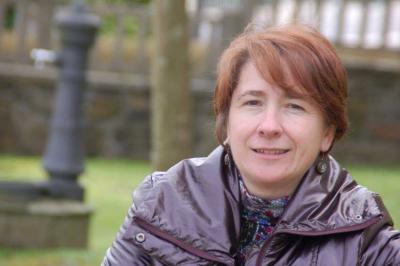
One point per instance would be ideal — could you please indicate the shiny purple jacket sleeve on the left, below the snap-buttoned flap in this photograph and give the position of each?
(123, 252)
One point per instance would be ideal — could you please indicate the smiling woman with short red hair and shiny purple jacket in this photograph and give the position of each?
(271, 194)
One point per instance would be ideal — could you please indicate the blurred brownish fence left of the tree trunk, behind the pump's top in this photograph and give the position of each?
(33, 26)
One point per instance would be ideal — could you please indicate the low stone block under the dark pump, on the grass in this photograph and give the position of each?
(44, 224)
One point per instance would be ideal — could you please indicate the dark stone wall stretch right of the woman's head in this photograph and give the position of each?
(374, 109)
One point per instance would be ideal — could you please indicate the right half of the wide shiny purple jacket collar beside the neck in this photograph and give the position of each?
(329, 203)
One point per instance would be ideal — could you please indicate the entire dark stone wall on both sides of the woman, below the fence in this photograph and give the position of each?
(117, 117)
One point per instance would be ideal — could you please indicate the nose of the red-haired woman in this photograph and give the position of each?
(270, 124)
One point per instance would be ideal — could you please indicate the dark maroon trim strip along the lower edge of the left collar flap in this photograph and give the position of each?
(165, 236)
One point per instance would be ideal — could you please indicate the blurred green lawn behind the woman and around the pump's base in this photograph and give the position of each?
(109, 184)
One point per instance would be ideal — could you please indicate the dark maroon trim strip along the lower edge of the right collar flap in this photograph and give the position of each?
(346, 229)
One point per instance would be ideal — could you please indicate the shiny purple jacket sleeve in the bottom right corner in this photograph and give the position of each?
(384, 248)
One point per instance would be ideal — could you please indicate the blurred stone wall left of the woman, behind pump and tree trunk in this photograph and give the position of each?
(117, 114)
